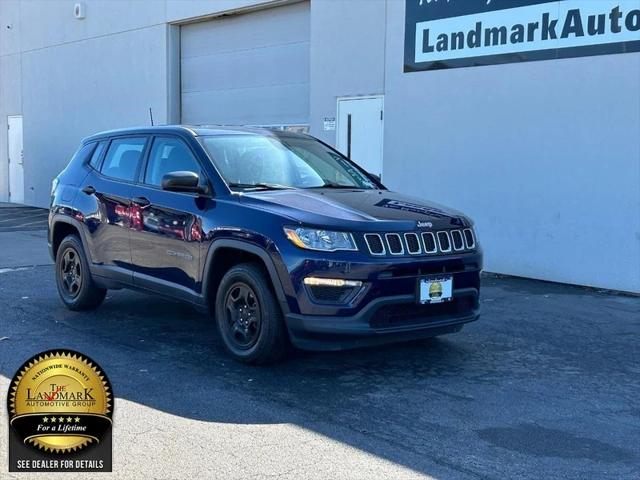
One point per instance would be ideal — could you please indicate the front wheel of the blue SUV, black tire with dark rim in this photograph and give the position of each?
(248, 316)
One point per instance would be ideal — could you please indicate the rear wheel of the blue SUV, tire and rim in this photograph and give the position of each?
(76, 287)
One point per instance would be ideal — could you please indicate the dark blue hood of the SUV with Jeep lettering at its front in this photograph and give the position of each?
(359, 209)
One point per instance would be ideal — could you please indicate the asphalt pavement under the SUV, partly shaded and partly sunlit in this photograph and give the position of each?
(544, 385)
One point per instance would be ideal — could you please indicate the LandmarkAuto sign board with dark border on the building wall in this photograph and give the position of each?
(463, 33)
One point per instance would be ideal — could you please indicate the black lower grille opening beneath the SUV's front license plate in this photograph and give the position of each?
(401, 314)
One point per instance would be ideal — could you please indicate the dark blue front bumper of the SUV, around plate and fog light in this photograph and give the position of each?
(386, 309)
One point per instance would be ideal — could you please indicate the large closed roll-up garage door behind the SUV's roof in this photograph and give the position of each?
(247, 69)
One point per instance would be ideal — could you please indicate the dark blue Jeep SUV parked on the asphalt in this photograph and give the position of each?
(276, 234)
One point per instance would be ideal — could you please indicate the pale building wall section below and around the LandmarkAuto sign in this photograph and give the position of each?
(544, 156)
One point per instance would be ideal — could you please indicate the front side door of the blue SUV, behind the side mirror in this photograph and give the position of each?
(166, 228)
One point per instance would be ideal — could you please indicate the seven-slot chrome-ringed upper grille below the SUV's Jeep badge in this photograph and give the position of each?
(425, 243)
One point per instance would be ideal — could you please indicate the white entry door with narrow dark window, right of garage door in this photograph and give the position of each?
(360, 122)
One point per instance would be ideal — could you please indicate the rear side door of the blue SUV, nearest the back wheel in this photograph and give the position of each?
(106, 194)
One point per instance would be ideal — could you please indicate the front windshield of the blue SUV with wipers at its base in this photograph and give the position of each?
(259, 161)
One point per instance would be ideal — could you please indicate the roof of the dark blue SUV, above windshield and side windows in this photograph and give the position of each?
(193, 130)
